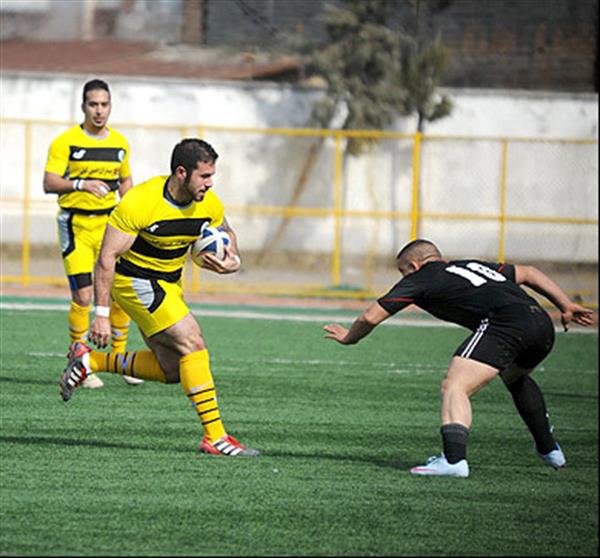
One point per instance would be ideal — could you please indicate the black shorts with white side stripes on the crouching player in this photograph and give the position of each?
(520, 334)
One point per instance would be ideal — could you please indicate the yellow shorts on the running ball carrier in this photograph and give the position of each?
(153, 304)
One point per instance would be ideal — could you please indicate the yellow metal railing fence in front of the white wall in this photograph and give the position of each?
(337, 212)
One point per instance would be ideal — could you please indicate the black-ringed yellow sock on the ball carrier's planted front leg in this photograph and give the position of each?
(198, 385)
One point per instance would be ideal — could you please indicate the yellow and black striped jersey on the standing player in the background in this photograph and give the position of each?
(75, 154)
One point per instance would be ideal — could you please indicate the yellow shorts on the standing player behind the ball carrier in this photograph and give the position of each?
(80, 238)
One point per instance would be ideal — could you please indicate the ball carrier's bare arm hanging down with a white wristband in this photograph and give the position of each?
(114, 244)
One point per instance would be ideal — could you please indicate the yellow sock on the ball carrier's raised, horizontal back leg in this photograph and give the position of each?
(139, 364)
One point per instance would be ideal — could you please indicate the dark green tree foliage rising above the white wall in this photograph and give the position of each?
(375, 72)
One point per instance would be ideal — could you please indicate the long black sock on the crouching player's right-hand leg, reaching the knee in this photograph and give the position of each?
(530, 403)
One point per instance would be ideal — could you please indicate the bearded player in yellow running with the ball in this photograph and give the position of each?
(141, 261)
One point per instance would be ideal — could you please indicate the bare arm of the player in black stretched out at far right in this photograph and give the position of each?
(538, 281)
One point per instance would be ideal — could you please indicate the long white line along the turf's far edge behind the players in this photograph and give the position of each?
(397, 320)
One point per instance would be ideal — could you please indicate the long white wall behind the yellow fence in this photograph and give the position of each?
(544, 178)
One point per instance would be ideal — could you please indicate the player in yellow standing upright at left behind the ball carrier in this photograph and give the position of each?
(87, 166)
